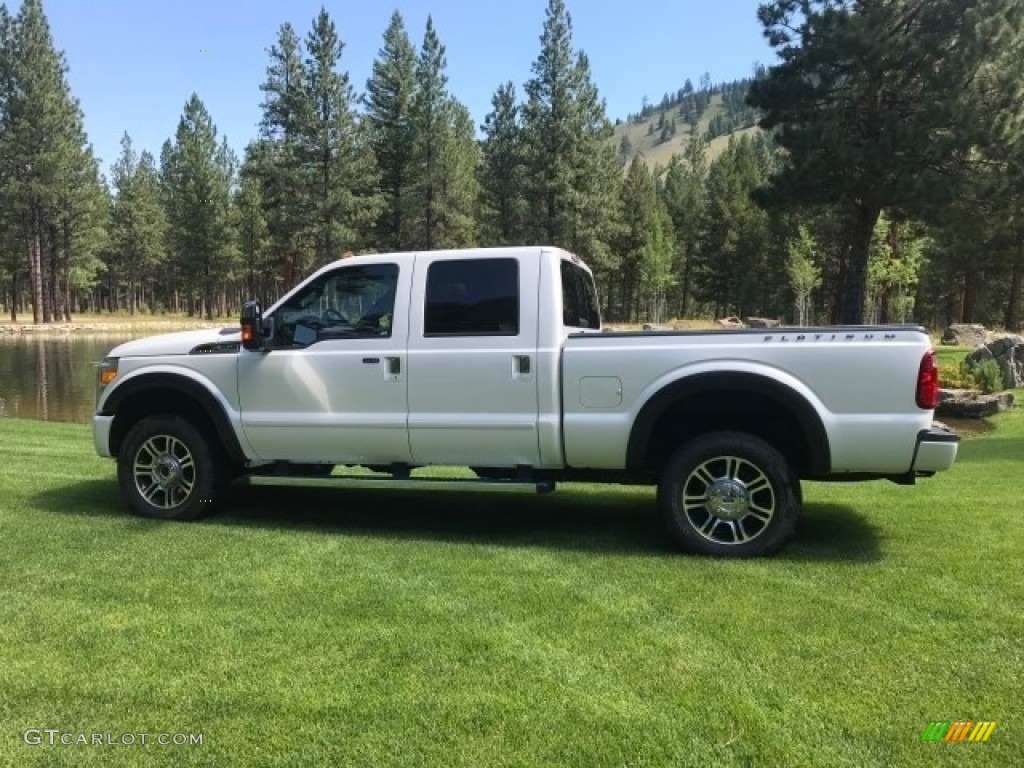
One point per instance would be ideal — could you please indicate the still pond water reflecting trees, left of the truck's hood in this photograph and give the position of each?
(52, 377)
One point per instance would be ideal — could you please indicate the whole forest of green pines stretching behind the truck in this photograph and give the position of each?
(875, 173)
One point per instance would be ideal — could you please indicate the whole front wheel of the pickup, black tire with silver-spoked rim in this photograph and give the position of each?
(168, 471)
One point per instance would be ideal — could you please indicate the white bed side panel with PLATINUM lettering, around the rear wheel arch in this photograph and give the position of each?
(862, 381)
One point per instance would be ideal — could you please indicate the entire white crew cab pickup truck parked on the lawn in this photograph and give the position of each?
(496, 360)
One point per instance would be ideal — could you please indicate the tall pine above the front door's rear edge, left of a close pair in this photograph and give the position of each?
(389, 100)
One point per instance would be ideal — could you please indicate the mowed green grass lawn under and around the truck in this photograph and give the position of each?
(340, 628)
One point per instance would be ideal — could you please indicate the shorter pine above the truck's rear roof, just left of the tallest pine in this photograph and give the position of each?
(502, 172)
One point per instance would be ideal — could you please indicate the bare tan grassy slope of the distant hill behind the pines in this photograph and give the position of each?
(646, 137)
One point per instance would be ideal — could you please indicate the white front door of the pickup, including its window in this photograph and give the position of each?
(333, 388)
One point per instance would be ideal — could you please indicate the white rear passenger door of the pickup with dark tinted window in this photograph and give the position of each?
(473, 361)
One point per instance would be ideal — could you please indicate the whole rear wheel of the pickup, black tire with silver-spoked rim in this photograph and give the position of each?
(730, 495)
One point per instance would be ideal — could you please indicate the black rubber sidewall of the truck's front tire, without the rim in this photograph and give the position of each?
(200, 501)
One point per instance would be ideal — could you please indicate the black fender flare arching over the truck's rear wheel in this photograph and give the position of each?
(820, 456)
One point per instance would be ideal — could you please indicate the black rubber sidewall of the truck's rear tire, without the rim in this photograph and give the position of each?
(785, 485)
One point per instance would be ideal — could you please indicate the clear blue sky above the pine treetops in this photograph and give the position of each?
(134, 64)
